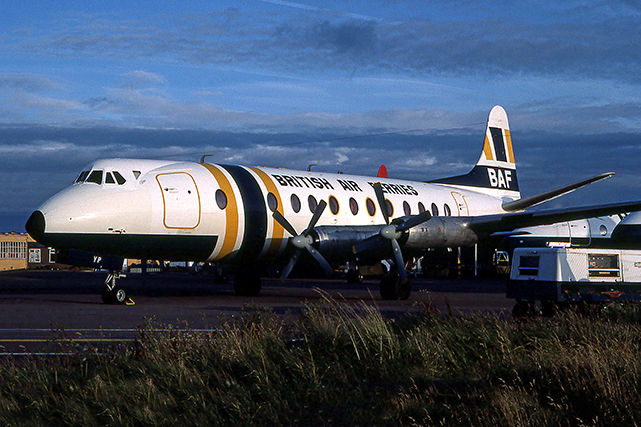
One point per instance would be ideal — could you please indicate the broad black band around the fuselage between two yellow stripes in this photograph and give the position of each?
(255, 210)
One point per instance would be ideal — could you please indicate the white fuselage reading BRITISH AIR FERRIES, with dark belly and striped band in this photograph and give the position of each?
(207, 212)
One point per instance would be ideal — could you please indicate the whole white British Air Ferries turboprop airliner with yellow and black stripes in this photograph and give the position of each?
(248, 217)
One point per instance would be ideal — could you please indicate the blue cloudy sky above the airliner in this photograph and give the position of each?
(344, 85)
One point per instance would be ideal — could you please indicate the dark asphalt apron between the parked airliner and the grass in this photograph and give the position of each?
(47, 312)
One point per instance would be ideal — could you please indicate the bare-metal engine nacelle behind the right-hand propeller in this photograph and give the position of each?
(440, 232)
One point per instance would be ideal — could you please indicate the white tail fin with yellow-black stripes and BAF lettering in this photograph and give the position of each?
(495, 172)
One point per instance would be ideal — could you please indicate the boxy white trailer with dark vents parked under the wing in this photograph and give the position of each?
(565, 275)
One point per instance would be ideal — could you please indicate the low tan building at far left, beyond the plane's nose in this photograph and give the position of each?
(18, 251)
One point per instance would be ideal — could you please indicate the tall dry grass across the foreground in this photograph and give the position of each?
(340, 364)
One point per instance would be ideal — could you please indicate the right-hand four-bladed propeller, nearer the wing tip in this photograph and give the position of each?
(391, 232)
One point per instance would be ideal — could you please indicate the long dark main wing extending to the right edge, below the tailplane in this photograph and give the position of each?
(500, 223)
